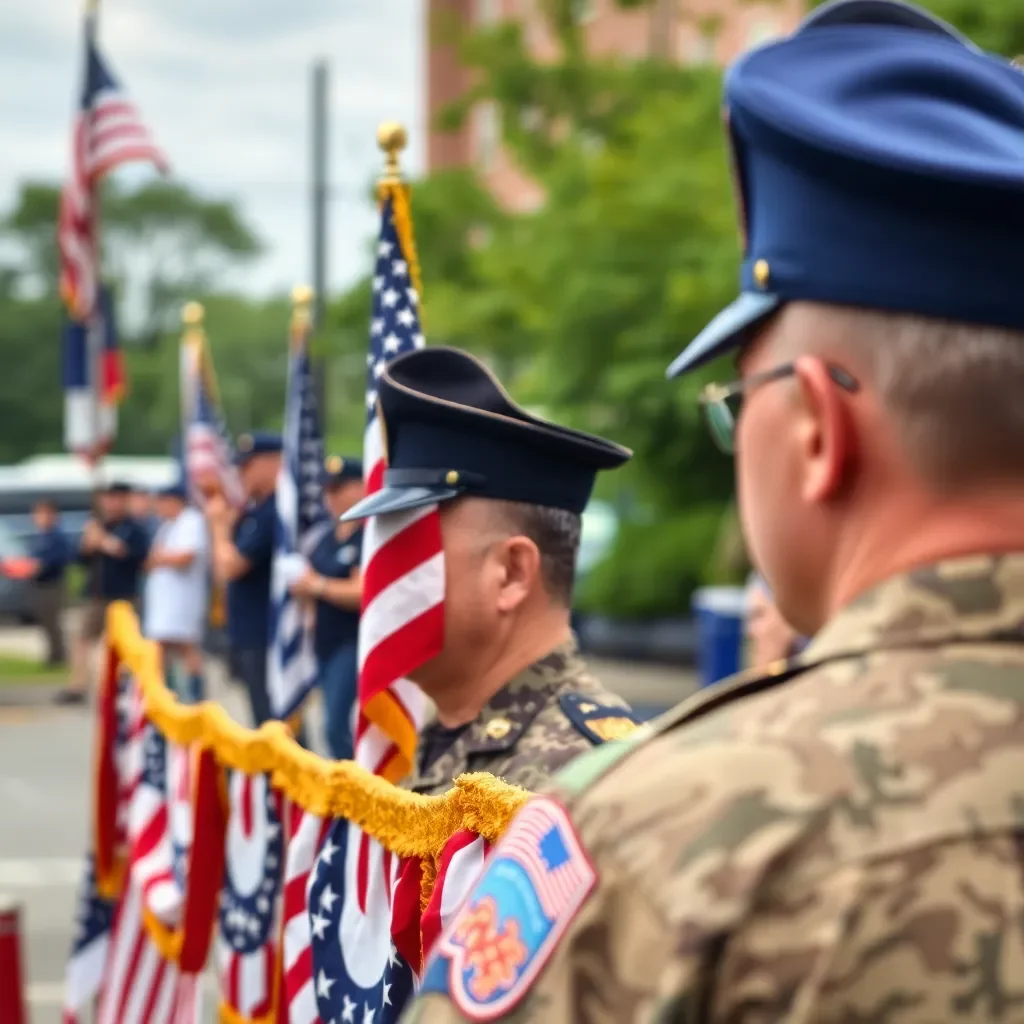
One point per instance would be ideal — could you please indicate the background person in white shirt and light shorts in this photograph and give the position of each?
(177, 596)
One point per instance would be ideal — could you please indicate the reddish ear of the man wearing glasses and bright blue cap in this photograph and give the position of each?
(826, 431)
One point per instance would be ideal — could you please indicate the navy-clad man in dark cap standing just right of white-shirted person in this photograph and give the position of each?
(242, 547)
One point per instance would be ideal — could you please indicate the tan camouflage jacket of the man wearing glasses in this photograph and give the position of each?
(842, 841)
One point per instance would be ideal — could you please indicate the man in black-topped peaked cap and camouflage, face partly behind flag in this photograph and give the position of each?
(511, 490)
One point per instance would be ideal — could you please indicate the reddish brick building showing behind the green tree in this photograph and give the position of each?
(678, 29)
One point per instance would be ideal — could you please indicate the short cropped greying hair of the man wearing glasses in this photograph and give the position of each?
(955, 392)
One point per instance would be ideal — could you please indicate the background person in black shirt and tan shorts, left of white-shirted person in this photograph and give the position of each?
(114, 550)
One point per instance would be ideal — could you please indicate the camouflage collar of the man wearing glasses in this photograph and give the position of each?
(974, 599)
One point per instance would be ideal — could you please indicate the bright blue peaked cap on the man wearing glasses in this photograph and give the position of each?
(879, 159)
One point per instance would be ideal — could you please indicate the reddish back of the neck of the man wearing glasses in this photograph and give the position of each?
(992, 525)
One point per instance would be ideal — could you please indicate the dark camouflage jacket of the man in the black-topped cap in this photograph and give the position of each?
(549, 714)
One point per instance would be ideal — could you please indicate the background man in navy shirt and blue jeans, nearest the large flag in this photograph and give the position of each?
(333, 581)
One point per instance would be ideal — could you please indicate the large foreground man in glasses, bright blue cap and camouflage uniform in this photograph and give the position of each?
(837, 839)
